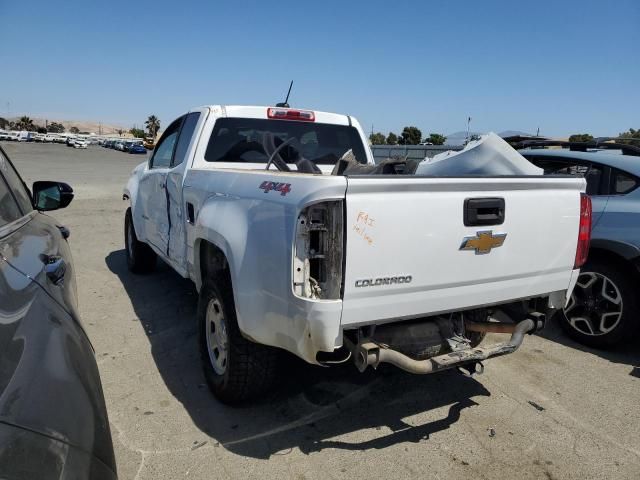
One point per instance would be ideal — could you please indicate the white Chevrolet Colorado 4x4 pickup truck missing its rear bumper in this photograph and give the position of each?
(297, 241)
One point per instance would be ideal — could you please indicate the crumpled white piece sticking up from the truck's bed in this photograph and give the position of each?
(490, 155)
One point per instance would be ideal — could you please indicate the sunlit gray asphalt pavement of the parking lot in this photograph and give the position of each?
(552, 410)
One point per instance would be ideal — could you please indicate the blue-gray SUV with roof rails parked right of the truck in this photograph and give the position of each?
(604, 309)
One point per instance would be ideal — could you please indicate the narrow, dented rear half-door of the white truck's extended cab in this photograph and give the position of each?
(178, 214)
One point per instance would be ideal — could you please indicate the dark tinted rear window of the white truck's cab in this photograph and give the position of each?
(245, 140)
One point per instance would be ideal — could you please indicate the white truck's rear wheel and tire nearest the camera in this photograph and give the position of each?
(235, 368)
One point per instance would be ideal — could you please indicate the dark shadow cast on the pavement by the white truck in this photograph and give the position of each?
(311, 408)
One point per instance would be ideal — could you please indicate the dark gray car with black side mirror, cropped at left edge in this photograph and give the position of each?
(53, 420)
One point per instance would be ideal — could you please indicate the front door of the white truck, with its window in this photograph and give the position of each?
(153, 189)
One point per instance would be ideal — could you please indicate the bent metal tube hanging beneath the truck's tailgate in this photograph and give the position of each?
(369, 353)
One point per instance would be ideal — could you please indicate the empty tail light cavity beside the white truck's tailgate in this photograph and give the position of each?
(317, 252)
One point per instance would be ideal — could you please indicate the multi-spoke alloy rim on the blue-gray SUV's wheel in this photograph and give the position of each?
(595, 307)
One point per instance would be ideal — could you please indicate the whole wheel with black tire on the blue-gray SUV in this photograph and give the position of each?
(603, 309)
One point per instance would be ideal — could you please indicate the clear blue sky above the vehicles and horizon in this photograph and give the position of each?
(562, 66)
